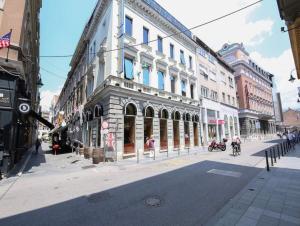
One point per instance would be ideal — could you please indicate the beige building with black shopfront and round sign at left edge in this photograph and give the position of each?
(19, 78)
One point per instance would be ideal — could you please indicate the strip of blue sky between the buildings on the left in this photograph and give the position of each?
(62, 22)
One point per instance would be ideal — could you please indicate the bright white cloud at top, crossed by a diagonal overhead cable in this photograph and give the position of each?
(235, 28)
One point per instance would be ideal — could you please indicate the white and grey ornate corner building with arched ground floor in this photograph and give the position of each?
(139, 87)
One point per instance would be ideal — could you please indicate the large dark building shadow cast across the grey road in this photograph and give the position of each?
(185, 196)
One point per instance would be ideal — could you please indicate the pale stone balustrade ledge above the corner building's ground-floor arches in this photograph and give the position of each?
(130, 85)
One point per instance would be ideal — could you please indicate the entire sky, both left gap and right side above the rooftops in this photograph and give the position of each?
(257, 27)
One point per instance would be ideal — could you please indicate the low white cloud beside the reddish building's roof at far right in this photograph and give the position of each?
(281, 67)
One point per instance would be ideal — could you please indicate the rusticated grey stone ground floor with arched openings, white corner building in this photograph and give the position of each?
(133, 118)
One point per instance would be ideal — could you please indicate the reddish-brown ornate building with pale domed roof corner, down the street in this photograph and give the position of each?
(254, 92)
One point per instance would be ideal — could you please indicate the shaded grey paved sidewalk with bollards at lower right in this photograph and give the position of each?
(272, 198)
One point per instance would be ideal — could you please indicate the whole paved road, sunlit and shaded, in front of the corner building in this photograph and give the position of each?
(182, 191)
